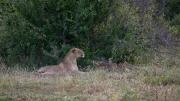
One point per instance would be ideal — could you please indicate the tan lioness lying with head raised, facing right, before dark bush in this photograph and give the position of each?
(68, 64)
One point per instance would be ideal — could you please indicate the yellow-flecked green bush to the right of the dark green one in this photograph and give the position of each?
(129, 32)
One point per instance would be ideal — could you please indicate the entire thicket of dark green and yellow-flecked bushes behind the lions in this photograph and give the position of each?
(41, 32)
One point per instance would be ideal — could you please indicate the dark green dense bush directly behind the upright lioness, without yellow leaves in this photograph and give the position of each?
(42, 29)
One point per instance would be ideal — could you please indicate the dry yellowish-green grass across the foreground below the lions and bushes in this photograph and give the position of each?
(150, 83)
